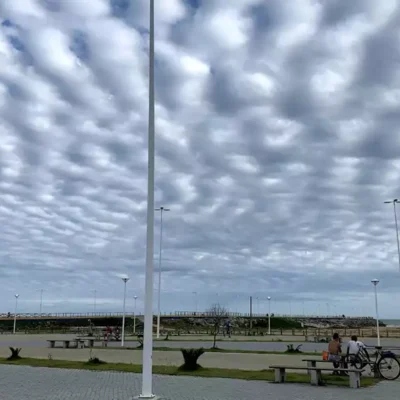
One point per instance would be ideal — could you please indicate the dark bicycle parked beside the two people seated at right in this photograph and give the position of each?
(385, 365)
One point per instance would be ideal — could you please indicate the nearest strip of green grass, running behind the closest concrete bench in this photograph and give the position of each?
(264, 375)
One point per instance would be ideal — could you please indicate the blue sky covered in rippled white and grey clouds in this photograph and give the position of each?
(277, 142)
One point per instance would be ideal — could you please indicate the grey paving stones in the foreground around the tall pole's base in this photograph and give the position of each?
(27, 383)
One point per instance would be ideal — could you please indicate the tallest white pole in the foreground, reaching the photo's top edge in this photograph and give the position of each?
(147, 371)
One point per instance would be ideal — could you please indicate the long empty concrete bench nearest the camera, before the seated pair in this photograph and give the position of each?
(316, 374)
